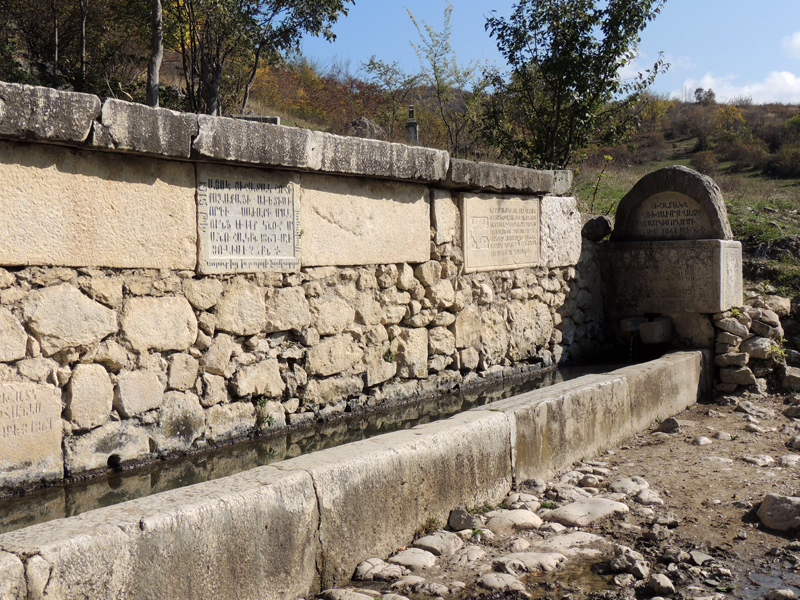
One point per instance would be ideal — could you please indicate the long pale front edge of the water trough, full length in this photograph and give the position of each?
(291, 528)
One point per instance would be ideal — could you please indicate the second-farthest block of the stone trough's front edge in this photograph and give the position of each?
(558, 425)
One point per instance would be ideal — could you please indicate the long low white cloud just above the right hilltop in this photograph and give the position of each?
(778, 86)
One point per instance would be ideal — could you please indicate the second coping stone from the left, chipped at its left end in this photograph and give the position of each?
(138, 128)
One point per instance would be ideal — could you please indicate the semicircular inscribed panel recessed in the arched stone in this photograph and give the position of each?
(670, 216)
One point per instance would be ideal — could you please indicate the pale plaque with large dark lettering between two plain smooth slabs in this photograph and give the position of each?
(247, 224)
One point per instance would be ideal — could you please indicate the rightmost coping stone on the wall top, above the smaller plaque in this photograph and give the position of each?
(467, 174)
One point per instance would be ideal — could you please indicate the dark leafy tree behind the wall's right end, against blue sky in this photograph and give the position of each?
(564, 87)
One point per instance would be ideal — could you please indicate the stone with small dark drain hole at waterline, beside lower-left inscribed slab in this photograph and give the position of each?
(118, 443)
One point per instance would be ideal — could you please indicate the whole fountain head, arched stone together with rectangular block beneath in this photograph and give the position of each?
(671, 250)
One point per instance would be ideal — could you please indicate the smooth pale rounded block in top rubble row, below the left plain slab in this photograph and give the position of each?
(166, 323)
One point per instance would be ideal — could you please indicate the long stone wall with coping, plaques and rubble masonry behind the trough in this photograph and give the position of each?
(125, 338)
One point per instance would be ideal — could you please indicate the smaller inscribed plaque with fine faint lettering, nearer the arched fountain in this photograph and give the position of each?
(500, 232)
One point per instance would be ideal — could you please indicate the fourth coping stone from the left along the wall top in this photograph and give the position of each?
(374, 158)
